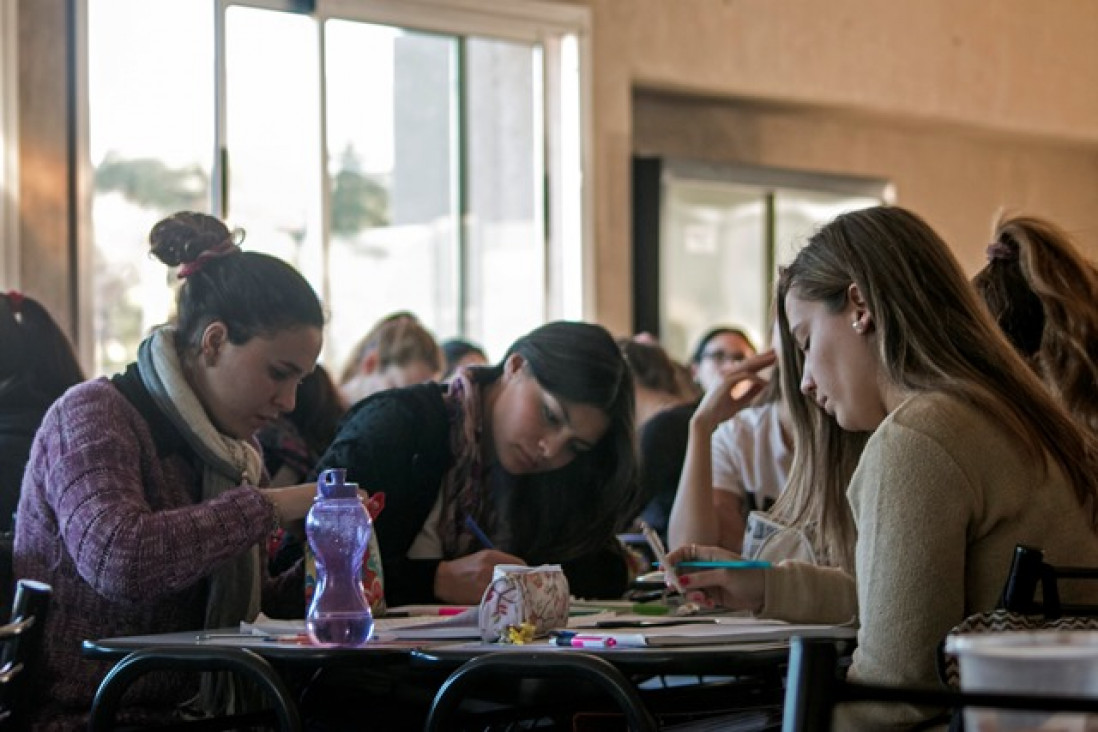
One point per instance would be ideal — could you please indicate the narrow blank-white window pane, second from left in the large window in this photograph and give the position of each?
(273, 134)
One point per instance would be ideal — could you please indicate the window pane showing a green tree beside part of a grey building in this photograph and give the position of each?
(393, 112)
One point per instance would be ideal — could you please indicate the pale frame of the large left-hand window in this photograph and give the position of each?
(569, 268)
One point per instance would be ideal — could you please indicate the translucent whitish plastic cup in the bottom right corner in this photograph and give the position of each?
(1041, 663)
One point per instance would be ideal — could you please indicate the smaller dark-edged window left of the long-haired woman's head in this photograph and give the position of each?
(710, 239)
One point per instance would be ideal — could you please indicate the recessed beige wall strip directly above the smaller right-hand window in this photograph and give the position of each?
(958, 178)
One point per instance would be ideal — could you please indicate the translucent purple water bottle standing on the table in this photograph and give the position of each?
(339, 530)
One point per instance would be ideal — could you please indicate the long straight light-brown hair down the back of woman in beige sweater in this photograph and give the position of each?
(934, 334)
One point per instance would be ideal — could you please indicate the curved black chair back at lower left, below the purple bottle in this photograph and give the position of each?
(242, 662)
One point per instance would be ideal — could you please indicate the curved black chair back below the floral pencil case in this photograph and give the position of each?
(518, 665)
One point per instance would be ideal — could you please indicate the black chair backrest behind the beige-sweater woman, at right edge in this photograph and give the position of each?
(1028, 572)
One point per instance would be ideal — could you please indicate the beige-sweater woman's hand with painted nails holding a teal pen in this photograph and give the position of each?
(722, 578)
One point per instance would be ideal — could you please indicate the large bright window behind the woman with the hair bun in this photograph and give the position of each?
(420, 155)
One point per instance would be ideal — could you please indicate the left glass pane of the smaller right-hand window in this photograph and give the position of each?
(713, 263)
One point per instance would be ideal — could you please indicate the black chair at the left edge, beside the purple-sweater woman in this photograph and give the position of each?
(21, 640)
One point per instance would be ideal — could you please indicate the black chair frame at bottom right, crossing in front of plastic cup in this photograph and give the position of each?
(816, 686)
